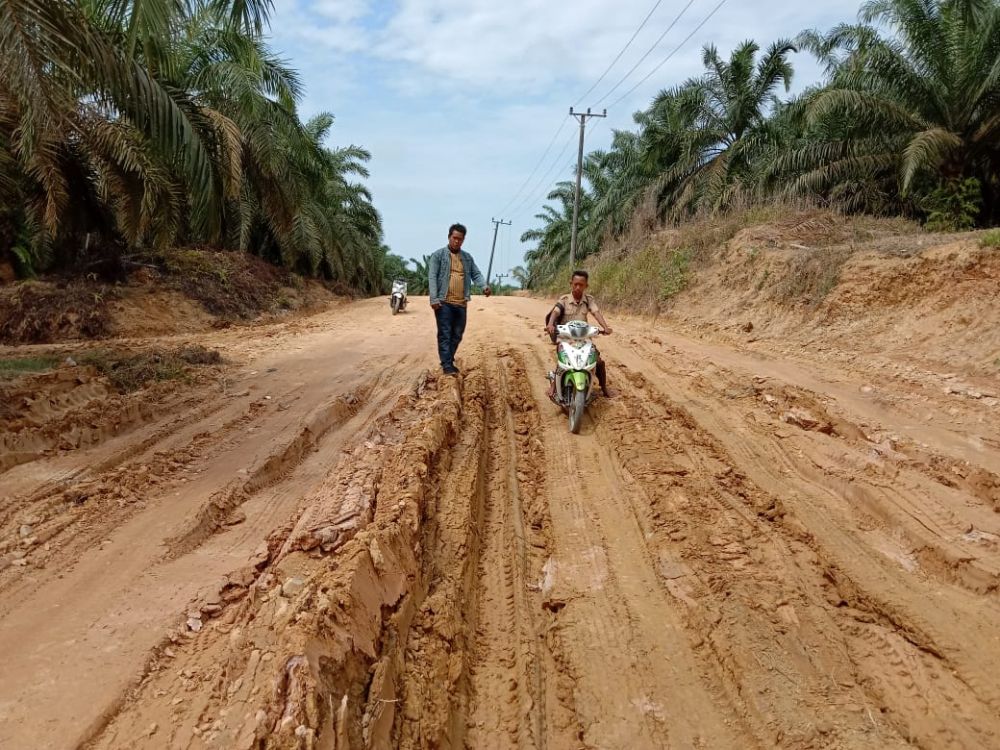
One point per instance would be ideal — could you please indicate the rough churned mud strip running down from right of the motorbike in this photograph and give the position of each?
(750, 604)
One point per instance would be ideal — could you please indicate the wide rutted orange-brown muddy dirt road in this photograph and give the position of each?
(336, 548)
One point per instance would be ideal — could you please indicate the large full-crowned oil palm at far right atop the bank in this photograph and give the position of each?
(913, 99)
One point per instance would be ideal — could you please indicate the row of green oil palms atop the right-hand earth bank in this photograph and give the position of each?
(906, 123)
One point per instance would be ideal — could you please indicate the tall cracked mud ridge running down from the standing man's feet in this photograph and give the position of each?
(325, 610)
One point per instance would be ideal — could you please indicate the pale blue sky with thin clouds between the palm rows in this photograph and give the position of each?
(458, 99)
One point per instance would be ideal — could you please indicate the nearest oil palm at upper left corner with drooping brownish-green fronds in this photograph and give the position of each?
(67, 92)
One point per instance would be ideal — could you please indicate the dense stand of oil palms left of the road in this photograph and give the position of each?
(130, 127)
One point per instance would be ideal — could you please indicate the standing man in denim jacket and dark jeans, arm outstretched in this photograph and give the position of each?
(450, 274)
